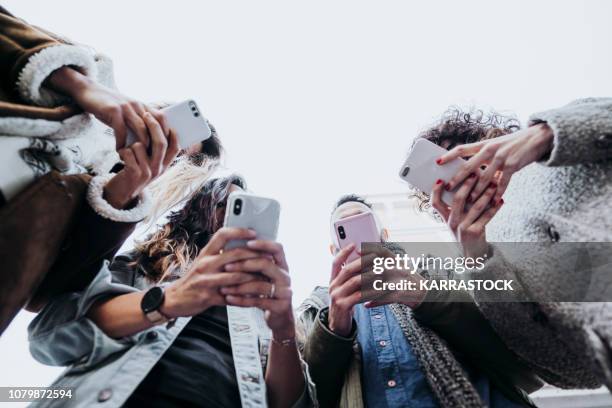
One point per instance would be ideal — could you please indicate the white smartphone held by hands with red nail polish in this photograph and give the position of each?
(421, 171)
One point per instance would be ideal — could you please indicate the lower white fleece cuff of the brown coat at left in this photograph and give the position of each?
(102, 207)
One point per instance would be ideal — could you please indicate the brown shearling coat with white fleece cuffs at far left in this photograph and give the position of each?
(55, 226)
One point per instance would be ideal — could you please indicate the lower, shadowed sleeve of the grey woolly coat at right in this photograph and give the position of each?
(549, 336)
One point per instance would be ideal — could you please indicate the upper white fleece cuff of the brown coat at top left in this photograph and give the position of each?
(43, 63)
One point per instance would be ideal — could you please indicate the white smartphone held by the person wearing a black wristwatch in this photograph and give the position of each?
(245, 210)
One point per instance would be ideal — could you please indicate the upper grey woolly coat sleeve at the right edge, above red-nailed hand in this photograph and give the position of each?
(582, 131)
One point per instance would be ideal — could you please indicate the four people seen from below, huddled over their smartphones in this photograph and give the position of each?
(179, 322)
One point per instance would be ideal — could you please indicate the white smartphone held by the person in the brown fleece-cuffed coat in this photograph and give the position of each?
(186, 120)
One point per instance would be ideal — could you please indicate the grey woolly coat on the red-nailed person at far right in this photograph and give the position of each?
(565, 198)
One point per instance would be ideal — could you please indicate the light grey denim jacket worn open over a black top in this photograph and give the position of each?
(104, 372)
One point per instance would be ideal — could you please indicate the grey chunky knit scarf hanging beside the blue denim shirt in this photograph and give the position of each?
(444, 374)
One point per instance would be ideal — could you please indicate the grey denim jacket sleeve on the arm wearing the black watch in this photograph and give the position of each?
(62, 334)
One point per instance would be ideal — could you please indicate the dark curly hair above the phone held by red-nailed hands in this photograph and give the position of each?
(457, 127)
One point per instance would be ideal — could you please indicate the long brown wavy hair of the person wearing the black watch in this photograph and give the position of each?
(166, 253)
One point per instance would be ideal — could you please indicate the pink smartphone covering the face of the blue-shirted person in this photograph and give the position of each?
(356, 229)
